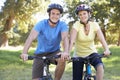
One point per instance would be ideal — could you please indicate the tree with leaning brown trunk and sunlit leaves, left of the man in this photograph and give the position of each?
(19, 11)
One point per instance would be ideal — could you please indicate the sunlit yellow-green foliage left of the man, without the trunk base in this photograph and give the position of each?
(21, 12)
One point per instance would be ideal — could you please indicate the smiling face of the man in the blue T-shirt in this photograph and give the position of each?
(54, 15)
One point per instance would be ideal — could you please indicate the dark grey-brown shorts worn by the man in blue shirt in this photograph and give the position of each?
(37, 69)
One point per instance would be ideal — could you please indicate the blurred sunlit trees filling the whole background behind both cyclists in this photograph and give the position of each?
(17, 17)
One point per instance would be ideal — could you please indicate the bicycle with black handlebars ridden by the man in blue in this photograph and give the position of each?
(46, 73)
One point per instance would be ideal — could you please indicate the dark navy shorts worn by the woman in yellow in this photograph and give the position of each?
(78, 66)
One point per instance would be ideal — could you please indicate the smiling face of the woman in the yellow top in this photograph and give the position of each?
(84, 16)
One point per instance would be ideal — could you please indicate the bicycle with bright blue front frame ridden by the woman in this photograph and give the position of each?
(87, 73)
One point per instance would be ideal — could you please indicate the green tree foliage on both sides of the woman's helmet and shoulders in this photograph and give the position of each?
(102, 11)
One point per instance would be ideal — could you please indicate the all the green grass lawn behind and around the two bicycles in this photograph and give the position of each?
(13, 68)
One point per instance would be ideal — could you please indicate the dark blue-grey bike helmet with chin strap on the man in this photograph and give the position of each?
(54, 6)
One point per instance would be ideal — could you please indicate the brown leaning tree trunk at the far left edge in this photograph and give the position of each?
(3, 34)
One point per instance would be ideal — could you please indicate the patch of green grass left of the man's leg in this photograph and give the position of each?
(12, 67)
